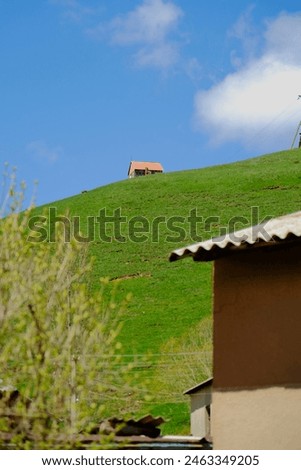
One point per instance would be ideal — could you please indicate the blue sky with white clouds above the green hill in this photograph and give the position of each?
(88, 85)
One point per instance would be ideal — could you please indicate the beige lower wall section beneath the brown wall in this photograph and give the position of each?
(267, 418)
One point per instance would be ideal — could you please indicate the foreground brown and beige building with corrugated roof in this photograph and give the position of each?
(256, 399)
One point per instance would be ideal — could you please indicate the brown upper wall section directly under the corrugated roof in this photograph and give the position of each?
(257, 318)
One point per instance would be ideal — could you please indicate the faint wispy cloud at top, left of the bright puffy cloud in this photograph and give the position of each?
(149, 27)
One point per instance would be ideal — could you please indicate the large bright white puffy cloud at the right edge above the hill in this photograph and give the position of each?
(257, 105)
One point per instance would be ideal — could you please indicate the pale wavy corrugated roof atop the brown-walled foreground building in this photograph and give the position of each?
(272, 232)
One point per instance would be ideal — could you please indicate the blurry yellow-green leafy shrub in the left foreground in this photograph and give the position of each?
(58, 344)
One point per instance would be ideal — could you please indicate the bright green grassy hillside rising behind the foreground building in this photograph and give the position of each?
(170, 299)
